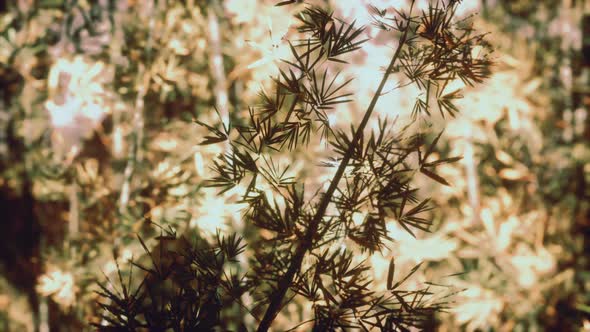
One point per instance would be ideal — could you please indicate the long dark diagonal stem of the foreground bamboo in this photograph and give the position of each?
(306, 244)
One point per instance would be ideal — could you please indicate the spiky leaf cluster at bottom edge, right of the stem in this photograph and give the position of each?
(344, 299)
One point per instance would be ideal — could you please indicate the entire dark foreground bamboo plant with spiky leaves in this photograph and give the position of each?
(304, 258)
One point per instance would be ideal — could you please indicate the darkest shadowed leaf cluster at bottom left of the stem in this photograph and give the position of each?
(185, 286)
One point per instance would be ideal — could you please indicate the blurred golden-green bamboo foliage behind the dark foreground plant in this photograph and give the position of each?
(98, 144)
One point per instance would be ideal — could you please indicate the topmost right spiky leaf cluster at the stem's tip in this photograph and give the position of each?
(439, 50)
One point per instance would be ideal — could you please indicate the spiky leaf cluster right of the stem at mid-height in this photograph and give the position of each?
(379, 184)
